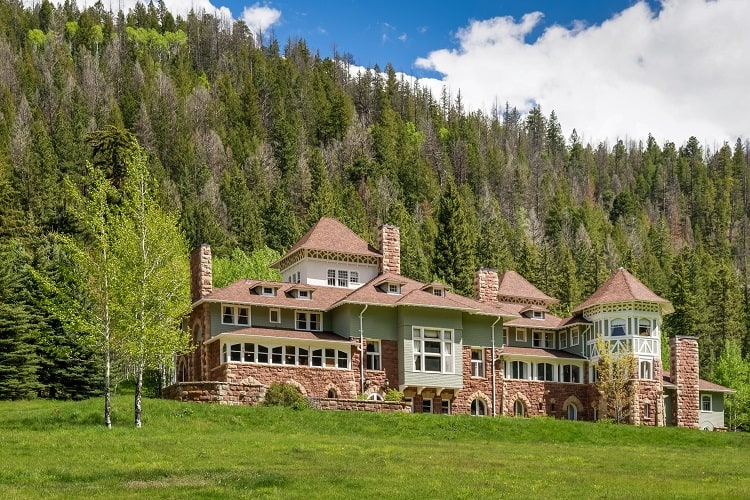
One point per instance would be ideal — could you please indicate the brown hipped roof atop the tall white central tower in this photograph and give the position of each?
(331, 235)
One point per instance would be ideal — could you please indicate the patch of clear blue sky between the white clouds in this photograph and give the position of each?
(400, 32)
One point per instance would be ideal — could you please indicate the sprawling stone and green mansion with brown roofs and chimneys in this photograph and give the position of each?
(344, 325)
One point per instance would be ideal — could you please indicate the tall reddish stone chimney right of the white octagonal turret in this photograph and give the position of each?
(683, 352)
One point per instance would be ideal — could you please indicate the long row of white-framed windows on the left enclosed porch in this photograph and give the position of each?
(284, 355)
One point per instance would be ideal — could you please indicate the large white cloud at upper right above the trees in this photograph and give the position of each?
(674, 74)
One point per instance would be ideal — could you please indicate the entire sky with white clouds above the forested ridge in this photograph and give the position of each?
(611, 69)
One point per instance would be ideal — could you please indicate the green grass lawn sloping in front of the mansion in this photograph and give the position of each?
(188, 450)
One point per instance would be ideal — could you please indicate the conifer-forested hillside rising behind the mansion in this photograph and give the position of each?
(253, 142)
